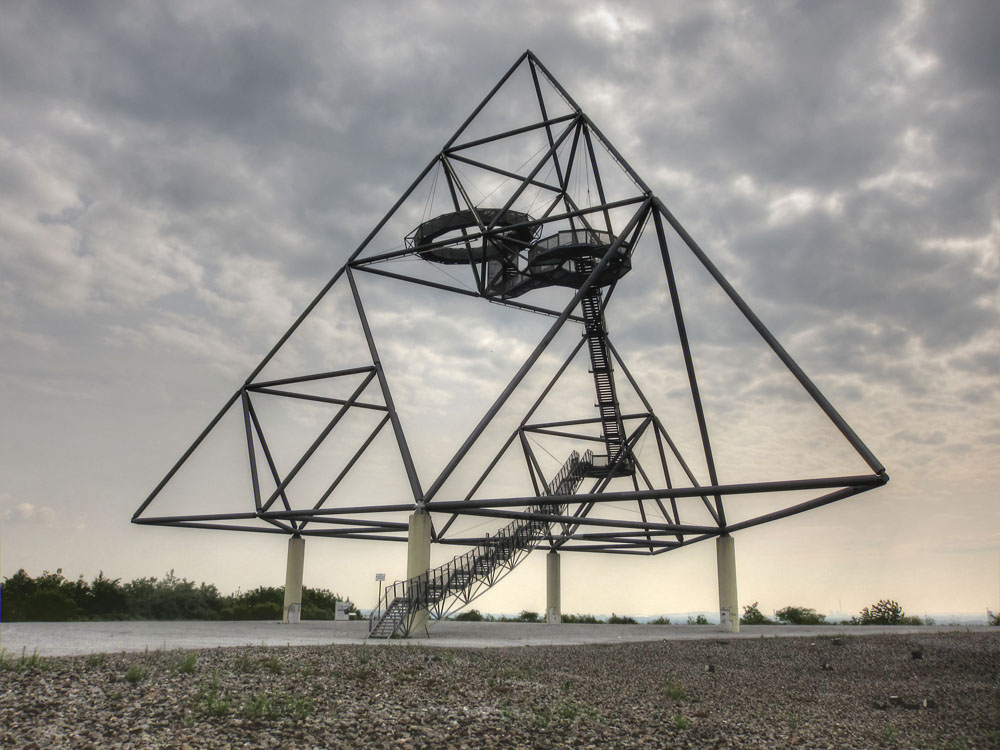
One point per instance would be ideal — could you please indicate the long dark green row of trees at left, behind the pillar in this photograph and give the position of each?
(53, 598)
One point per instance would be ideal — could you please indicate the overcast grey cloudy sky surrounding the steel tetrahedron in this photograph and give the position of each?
(178, 180)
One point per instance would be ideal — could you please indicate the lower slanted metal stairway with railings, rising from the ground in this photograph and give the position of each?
(461, 580)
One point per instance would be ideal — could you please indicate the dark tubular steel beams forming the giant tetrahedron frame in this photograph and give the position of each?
(580, 526)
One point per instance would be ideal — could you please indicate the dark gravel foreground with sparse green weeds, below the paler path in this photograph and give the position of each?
(934, 690)
